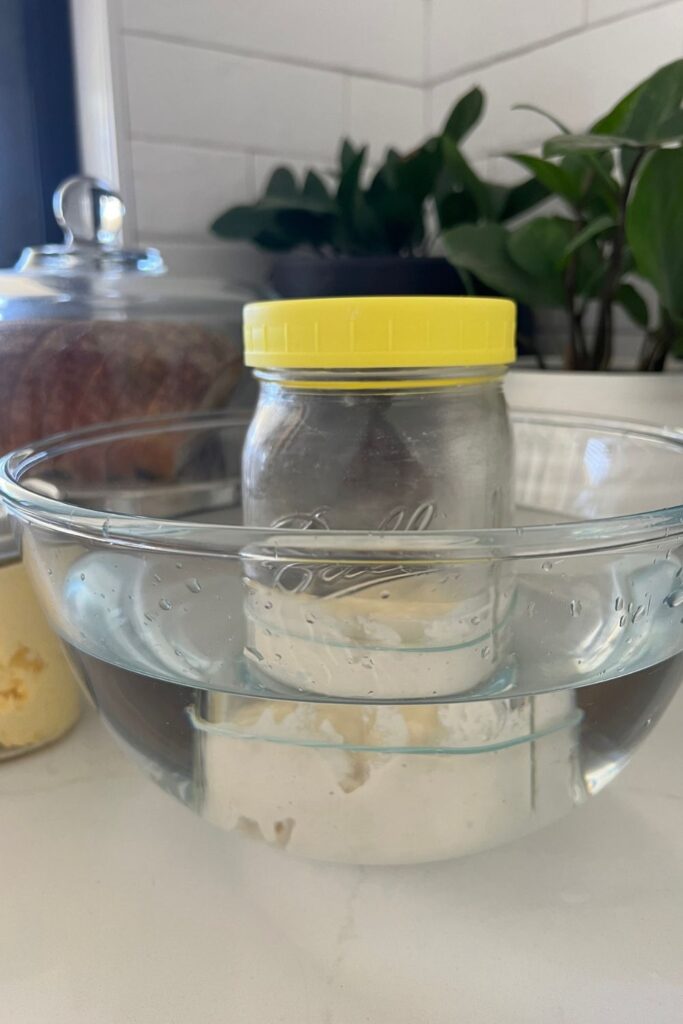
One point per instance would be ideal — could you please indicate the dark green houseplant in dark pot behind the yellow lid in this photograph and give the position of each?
(362, 233)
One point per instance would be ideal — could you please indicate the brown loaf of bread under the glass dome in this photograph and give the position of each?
(58, 376)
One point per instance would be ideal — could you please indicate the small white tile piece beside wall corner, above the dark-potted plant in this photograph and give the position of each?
(385, 115)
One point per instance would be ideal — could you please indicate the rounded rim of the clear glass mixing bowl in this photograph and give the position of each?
(136, 532)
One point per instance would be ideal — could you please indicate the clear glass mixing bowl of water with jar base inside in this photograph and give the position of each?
(370, 698)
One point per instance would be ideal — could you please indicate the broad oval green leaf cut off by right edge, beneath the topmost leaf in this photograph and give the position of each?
(655, 227)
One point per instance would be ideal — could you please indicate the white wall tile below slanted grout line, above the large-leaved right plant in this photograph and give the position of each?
(577, 79)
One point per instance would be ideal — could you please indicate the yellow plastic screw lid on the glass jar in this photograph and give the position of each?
(380, 333)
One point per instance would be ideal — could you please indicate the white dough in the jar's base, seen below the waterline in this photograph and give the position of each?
(304, 790)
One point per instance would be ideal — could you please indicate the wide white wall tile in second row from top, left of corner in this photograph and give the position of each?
(183, 94)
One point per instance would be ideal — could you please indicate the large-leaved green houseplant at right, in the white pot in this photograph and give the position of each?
(618, 239)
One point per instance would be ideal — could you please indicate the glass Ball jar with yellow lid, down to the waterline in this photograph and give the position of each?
(378, 415)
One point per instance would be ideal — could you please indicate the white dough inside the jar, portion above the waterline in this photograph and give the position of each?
(413, 637)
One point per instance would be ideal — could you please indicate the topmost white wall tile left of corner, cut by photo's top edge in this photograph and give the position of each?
(380, 37)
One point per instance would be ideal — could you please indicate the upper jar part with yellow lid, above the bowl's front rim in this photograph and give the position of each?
(379, 414)
